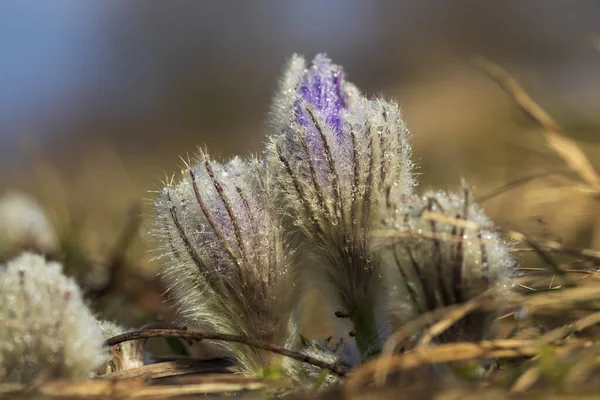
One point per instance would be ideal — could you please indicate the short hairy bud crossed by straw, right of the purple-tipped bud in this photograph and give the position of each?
(446, 252)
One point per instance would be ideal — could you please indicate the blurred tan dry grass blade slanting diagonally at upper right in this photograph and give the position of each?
(565, 147)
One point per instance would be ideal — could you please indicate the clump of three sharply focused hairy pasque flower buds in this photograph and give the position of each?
(337, 172)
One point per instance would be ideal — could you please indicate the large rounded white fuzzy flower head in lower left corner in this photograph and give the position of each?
(47, 330)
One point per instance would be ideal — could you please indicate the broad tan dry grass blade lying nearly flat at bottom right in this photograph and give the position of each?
(454, 352)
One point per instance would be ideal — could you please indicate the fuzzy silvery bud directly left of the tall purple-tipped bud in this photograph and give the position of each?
(226, 263)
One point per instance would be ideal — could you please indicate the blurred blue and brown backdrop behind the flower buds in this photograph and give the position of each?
(99, 99)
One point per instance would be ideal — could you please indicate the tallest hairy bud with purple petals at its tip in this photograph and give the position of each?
(332, 151)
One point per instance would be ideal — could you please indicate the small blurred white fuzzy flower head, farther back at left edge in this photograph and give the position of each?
(24, 225)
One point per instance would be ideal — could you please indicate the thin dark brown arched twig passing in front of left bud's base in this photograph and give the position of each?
(150, 333)
